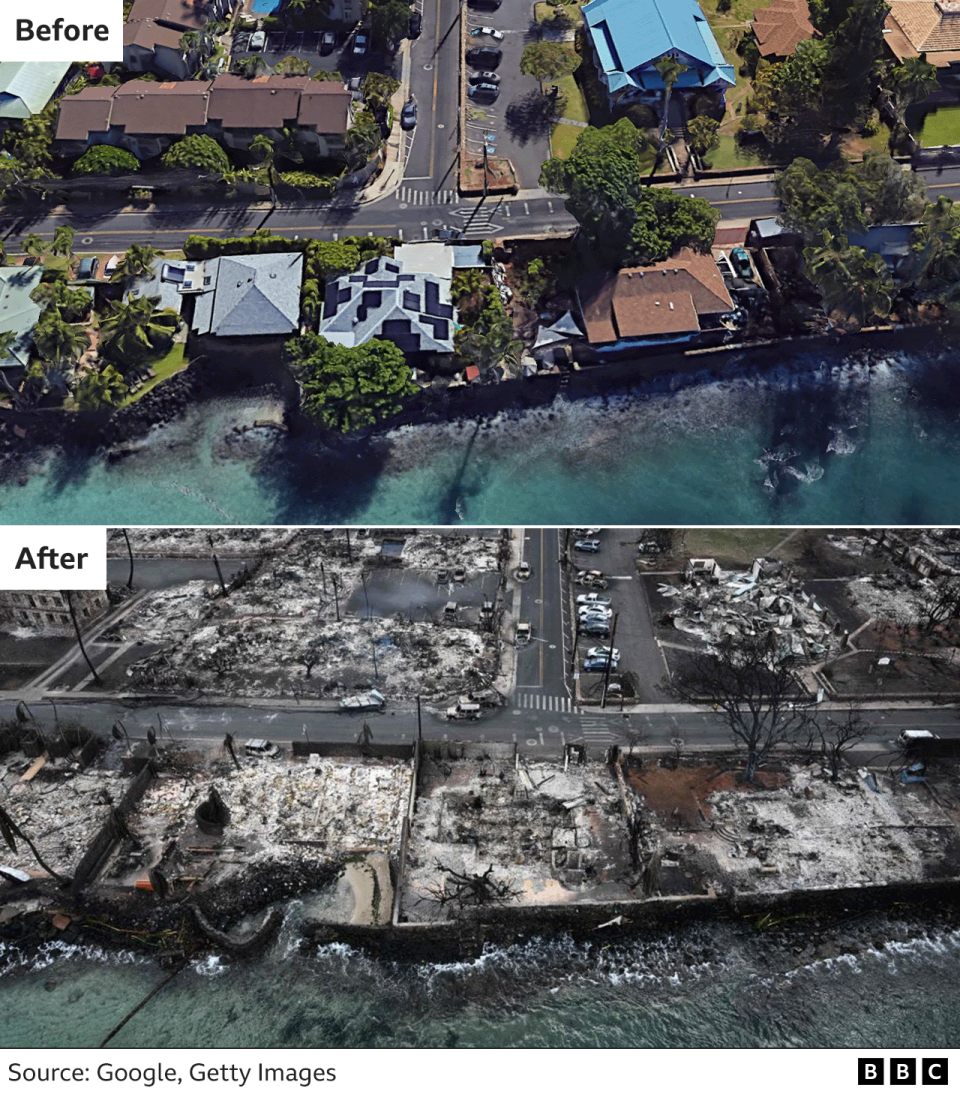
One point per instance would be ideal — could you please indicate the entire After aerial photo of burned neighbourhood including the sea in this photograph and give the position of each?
(485, 786)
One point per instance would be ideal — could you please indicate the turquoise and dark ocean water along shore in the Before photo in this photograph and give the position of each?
(844, 437)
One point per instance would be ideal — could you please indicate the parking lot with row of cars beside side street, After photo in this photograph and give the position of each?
(640, 655)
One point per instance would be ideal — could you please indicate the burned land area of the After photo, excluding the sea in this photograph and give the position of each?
(432, 739)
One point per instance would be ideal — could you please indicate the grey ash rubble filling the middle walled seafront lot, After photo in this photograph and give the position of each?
(551, 835)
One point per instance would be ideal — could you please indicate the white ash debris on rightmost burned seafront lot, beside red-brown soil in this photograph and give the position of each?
(817, 834)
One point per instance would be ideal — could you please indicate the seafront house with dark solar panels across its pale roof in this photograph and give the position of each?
(413, 310)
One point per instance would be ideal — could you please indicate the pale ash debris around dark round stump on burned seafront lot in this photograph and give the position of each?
(277, 809)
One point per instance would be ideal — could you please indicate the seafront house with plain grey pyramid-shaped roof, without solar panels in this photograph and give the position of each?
(247, 296)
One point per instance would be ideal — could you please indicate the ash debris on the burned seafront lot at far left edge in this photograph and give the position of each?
(61, 813)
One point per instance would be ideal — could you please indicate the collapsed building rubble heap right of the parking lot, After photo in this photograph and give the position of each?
(713, 606)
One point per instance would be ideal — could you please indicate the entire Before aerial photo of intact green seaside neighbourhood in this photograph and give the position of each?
(289, 241)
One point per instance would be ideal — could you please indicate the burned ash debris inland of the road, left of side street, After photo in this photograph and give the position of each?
(279, 631)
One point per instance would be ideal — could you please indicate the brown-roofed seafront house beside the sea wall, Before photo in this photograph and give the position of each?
(678, 297)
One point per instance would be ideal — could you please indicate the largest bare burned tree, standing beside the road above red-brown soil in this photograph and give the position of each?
(757, 694)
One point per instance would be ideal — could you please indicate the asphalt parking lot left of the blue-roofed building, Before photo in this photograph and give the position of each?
(514, 125)
